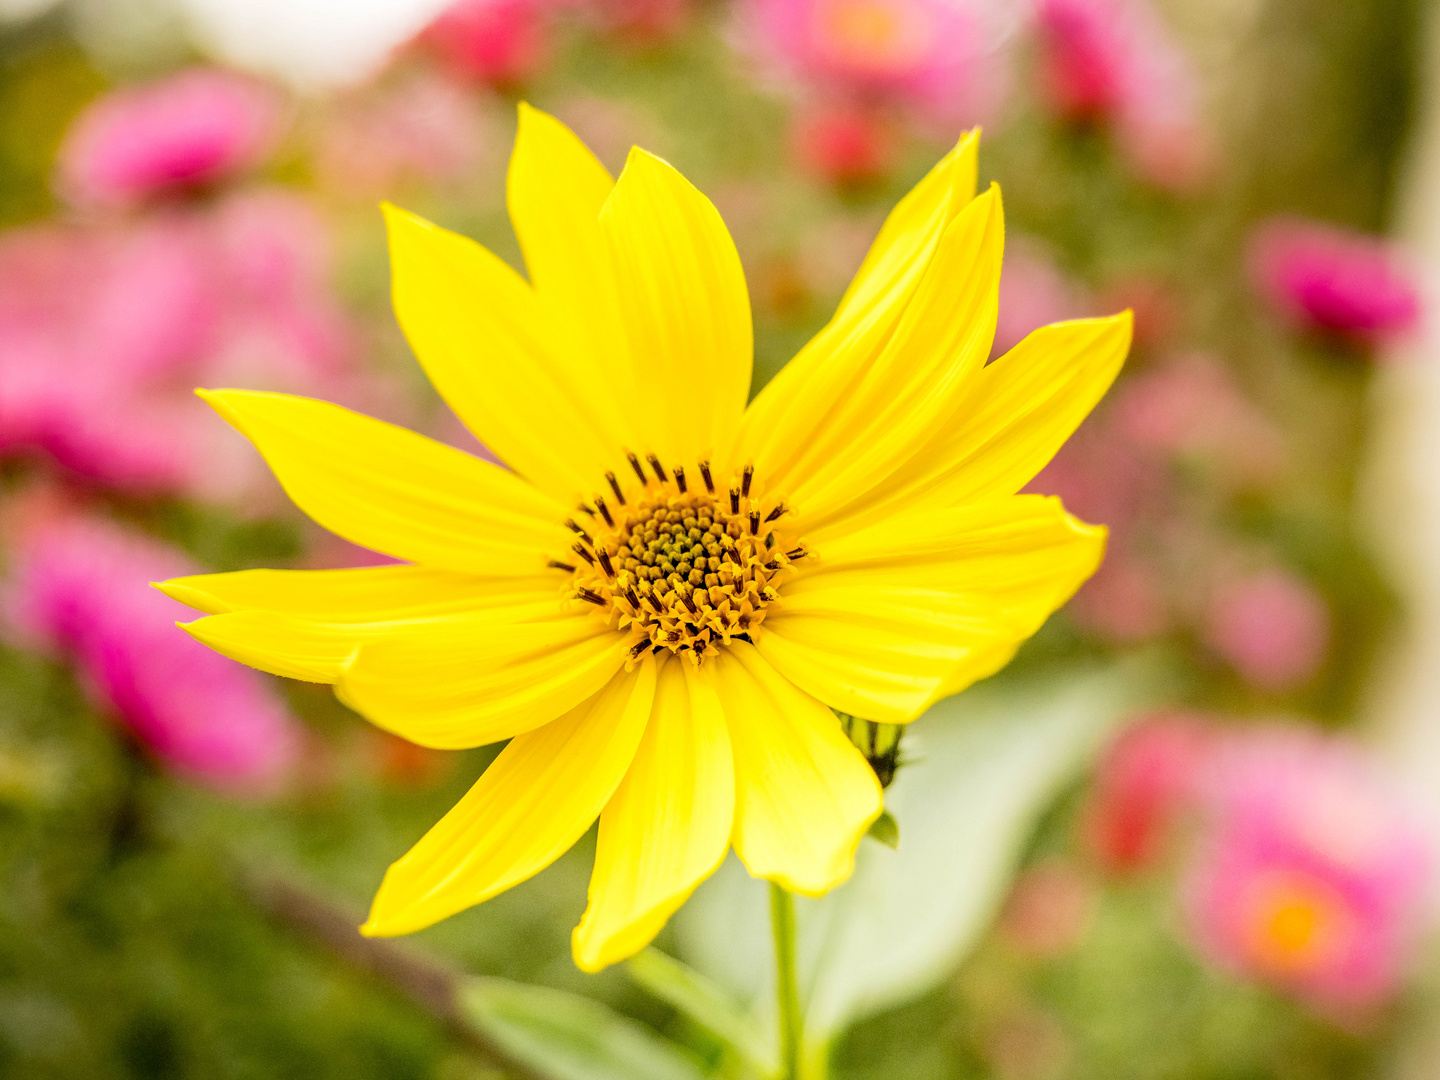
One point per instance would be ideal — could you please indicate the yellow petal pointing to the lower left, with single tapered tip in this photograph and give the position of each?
(529, 807)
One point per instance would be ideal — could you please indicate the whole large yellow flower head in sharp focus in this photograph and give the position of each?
(667, 598)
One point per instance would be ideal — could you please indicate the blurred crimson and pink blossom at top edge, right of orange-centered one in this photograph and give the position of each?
(1115, 61)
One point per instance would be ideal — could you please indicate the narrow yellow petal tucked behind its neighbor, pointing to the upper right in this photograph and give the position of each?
(787, 417)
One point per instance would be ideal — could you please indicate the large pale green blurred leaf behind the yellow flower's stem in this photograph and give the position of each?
(984, 768)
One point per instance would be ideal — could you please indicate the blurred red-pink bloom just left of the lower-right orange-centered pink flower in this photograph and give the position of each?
(1148, 778)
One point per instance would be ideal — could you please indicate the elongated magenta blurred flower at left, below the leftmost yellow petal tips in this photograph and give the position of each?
(83, 588)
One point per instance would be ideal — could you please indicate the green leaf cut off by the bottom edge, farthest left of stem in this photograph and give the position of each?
(567, 1038)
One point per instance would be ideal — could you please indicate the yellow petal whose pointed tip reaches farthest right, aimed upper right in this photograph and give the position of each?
(1019, 414)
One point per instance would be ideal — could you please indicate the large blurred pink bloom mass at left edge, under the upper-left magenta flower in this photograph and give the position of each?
(106, 333)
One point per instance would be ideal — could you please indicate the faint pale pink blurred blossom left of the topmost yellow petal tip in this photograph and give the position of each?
(421, 129)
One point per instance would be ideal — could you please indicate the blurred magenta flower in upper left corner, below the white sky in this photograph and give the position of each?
(191, 129)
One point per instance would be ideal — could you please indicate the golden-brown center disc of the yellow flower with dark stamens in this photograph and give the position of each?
(685, 568)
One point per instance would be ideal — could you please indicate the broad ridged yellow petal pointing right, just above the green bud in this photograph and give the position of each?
(891, 616)
